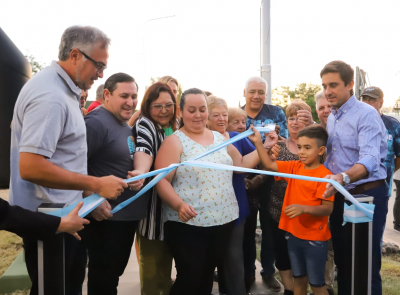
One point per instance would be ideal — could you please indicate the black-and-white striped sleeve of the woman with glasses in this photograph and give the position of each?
(144, 134)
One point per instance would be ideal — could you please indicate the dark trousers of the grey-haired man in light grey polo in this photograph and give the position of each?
(75, 263)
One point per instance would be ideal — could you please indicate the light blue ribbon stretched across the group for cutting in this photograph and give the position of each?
(91, 202)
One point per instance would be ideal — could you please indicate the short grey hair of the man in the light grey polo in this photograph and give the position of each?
(83, 38)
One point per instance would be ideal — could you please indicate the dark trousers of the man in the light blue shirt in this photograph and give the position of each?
(342, 242)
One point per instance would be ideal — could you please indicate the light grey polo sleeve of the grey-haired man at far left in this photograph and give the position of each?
(43, 124)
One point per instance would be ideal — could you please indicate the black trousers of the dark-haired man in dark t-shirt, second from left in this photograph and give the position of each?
(109, 245)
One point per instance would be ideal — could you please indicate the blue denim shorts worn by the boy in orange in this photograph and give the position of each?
(308, 258)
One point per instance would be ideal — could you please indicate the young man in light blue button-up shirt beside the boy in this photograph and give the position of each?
(356, 152)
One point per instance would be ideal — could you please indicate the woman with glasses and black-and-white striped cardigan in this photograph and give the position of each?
(157, 121)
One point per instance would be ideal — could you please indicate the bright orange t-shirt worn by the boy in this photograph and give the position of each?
(304, 192)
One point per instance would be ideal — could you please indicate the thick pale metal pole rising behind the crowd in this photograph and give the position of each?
(266, 45)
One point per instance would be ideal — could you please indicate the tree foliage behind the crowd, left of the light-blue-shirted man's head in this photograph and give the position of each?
(283, 95)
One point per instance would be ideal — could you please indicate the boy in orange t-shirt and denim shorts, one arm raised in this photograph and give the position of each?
(305, 212)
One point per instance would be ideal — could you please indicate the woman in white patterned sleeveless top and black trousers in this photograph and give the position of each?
(200, 206)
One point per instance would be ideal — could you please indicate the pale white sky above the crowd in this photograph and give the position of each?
(215, 44)
